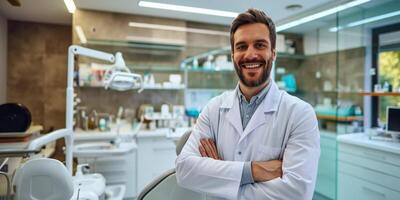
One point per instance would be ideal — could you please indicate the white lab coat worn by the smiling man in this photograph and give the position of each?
(283, 127)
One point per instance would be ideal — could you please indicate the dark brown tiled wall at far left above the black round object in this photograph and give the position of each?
(37, 69)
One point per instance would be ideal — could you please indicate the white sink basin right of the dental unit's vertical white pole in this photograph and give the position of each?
(101, 149)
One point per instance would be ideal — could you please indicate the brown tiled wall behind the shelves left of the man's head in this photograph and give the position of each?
(114, 26)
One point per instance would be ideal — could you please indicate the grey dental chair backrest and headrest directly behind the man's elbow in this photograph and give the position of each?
(165, 187)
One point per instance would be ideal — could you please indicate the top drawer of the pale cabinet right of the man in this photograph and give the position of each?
(371, 154)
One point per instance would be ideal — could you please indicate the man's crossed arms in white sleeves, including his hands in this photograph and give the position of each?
(199, 167)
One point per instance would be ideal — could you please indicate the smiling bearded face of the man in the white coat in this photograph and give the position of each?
(252, 54)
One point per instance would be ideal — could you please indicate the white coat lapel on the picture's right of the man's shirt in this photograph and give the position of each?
(269, 104)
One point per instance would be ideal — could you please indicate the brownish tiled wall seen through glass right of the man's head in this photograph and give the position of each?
(346, 66)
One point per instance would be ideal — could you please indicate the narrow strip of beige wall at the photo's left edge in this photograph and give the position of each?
(3, 59)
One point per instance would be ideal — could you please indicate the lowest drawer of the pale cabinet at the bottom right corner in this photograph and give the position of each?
(352, 188)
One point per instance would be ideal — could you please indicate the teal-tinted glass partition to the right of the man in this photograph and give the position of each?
(350, 74)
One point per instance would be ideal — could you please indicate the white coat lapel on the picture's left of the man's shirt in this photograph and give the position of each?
(231, 104)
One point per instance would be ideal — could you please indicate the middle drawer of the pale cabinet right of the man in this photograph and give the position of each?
(371, 176)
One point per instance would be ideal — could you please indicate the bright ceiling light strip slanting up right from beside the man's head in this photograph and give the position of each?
(320, 14)
